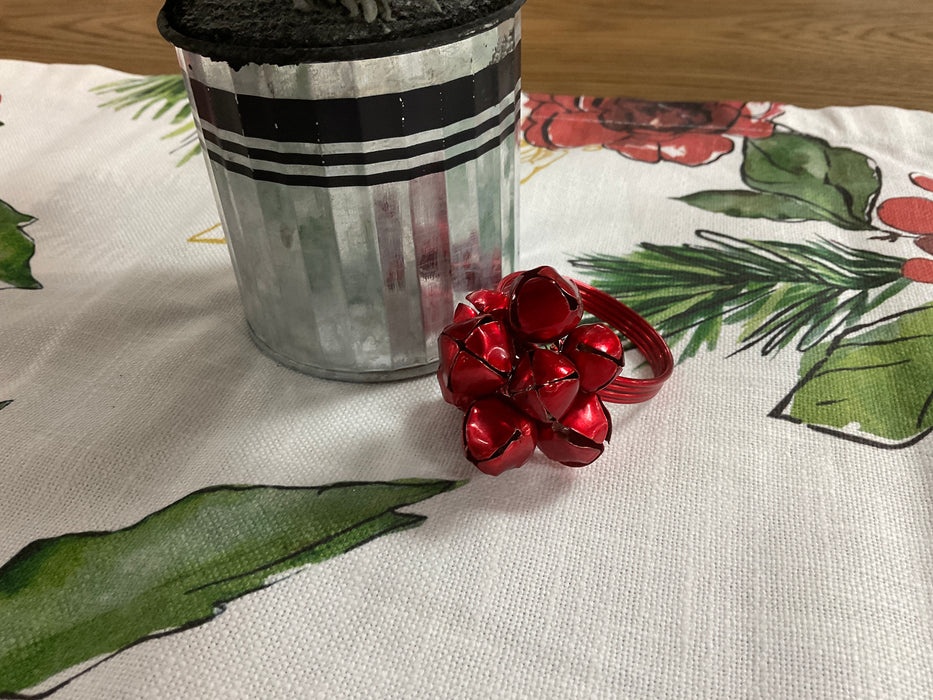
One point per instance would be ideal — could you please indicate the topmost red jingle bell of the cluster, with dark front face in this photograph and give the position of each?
(543, 306)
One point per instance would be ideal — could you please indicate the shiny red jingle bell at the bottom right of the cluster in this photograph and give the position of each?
(577, 440)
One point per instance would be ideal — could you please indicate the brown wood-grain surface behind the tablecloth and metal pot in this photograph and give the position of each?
(801, 52)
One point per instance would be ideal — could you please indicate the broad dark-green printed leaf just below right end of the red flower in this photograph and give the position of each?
(838, 185)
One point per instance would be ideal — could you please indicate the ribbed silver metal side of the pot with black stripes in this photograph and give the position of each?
(361, 198)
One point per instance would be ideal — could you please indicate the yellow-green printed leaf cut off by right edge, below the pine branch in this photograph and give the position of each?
(873, 380)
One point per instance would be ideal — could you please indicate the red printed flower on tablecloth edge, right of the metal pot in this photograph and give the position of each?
(689, 133)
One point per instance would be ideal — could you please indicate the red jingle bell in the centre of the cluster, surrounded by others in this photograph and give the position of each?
(544, 384)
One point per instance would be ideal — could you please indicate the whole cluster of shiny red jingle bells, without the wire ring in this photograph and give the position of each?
(527, 374)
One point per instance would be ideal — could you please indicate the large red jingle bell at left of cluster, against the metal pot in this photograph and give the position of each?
(476, 358)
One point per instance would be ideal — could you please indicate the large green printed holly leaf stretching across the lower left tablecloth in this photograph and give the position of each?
(80, 598)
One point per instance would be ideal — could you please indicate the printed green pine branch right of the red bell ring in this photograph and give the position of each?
(777, 291)
